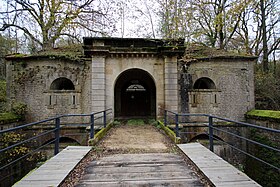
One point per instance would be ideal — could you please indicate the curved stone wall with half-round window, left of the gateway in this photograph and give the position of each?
(29, 81)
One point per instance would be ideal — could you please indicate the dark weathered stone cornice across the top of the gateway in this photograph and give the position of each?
(132, 47)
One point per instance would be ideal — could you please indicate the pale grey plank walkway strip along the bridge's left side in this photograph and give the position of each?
(55, 170)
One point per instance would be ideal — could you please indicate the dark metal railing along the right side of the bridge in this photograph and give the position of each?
(211, 125)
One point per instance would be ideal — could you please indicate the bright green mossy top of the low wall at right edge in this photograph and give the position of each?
(264, 114)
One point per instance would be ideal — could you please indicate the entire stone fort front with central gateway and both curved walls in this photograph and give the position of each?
(136, 77)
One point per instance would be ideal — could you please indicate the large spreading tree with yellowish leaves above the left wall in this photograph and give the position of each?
(45, 21)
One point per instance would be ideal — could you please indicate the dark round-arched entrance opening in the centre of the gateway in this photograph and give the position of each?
(135, 94)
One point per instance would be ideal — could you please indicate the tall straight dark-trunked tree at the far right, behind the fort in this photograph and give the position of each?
(259, 28)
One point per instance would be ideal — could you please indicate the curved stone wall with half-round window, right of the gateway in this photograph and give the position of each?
(232, 94)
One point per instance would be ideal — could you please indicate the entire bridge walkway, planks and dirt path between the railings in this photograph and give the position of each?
(137, 158)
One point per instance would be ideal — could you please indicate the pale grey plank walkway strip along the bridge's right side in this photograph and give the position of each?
(217, 170)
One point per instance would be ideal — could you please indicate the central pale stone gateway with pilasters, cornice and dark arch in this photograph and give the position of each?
(134, 76)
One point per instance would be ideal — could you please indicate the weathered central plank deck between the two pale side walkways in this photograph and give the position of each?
(153, 169)
